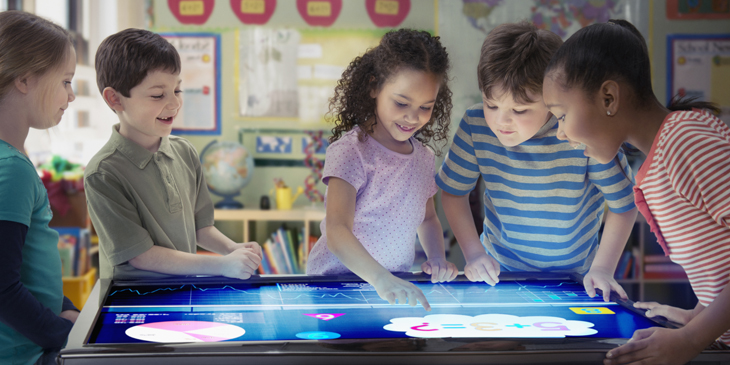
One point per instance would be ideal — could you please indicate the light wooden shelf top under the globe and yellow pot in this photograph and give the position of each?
(306, 215)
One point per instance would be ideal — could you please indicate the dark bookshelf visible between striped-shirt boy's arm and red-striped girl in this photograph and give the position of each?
(666, 285)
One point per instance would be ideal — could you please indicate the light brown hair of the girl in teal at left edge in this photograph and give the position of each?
(30, 45)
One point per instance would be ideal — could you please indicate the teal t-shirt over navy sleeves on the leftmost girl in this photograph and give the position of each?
(23, 199)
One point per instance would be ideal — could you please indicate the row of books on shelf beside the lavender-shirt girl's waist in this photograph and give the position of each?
(285, 252)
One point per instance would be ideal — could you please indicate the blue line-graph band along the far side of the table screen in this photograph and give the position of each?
(316, 294)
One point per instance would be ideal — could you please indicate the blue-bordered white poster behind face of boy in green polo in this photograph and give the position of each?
(200, 74)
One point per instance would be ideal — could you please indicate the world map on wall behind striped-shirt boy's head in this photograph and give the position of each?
(561, 17)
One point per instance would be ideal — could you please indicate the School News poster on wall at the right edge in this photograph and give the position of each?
(699, 66)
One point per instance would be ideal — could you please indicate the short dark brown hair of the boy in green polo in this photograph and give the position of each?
(124, 59)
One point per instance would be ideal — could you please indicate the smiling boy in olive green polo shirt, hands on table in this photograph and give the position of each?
(145, 189)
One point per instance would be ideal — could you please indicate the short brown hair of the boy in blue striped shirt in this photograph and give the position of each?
(514, 57)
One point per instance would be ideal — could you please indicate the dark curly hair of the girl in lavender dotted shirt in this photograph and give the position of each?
(399, 49)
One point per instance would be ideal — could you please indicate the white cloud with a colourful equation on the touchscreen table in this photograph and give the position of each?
(489, 325)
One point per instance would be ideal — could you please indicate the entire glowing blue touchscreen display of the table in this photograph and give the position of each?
(327, 310)
